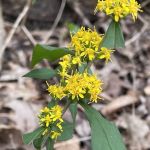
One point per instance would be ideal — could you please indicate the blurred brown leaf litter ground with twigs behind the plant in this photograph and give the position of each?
(126, 94)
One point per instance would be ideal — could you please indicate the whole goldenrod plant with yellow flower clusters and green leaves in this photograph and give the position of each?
(78, 85)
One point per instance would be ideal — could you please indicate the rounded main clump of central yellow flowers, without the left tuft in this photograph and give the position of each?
(80, 84)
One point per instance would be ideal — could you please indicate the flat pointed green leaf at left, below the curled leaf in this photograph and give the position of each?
(43, 73)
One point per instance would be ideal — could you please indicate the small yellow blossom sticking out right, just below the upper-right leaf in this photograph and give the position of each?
(105, 54)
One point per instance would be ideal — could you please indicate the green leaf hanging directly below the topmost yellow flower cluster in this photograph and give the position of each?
(113, 37)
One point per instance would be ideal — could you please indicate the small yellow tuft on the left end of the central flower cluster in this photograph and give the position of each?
(57, 91)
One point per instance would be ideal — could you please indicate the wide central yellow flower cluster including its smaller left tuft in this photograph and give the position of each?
(78, 86)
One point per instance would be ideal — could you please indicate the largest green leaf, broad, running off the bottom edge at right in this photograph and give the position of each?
(105, 135)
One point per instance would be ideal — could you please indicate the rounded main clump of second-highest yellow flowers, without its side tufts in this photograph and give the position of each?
(85, 43)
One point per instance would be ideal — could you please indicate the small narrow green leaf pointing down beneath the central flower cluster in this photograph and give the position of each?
(73, 110)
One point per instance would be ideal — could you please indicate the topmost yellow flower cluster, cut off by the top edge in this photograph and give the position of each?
(119, 8)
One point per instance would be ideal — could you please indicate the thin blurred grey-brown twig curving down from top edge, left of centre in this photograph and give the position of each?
(56, 21)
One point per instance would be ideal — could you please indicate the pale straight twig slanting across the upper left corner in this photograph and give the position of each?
(13, 30)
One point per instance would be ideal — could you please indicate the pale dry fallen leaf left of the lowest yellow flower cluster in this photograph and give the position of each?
(24, 116)
